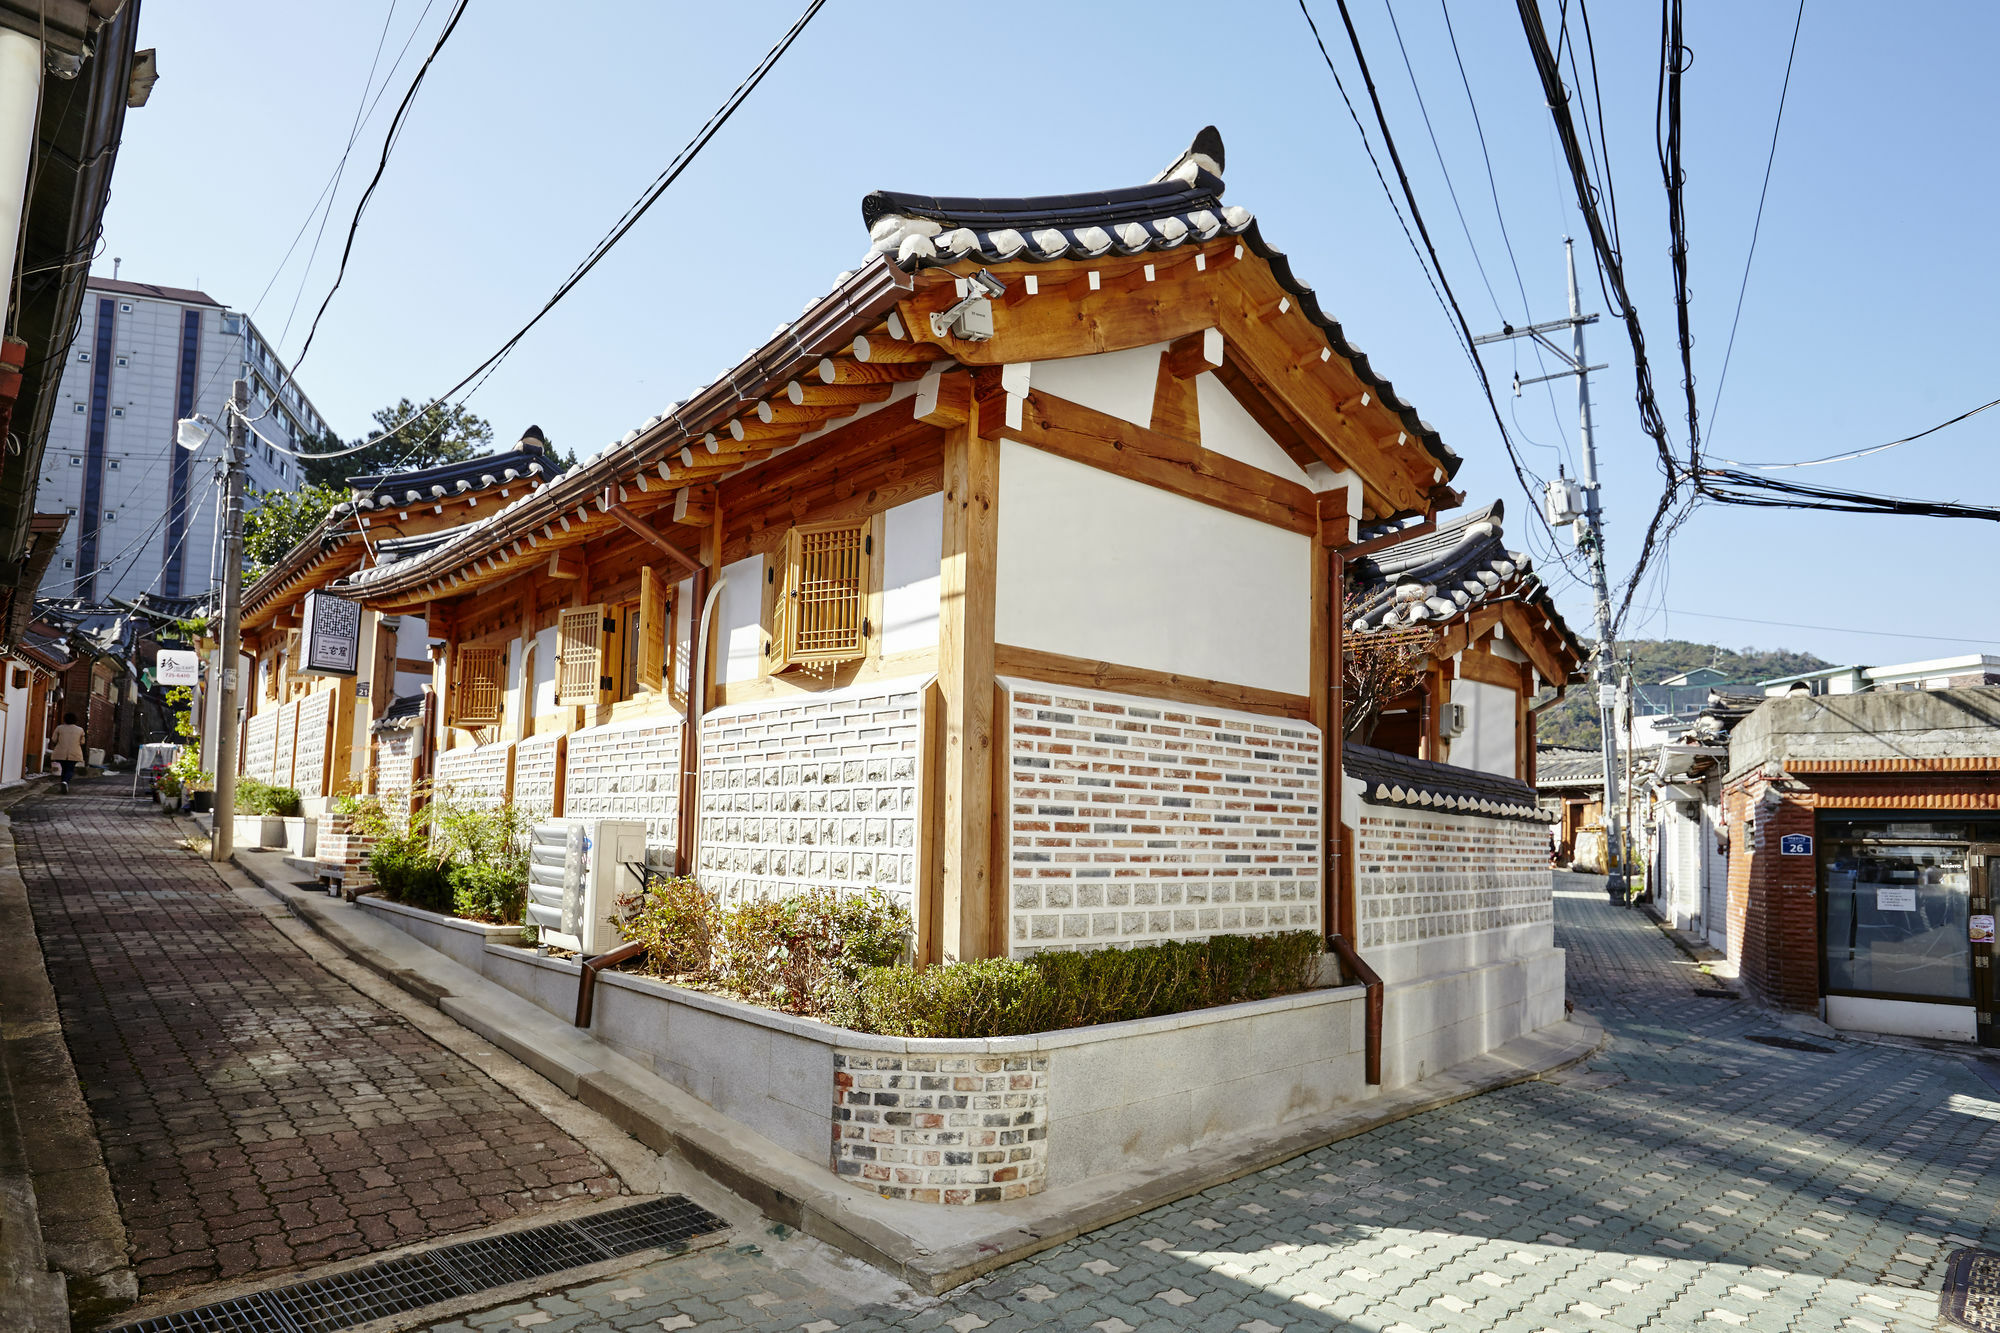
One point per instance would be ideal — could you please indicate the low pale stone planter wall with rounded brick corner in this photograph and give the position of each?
(959, 1122)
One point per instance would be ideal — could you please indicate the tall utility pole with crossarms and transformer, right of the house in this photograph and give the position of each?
(1591, 537)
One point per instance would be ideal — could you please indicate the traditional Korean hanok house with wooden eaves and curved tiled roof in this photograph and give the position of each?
(1005, 579)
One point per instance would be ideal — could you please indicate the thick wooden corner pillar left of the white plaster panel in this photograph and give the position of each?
(971, 904)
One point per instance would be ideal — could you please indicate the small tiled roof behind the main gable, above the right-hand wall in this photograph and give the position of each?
(1449, 573)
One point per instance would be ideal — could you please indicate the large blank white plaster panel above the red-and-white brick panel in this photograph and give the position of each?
(1101, 567)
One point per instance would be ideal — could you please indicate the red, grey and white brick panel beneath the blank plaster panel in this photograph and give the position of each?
(1137, 822)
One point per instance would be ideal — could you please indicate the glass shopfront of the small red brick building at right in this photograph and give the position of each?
(1897, 904)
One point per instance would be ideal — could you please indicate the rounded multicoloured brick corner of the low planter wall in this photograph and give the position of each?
(943, 1128)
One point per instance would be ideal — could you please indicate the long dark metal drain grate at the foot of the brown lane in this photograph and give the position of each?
(445, 1274)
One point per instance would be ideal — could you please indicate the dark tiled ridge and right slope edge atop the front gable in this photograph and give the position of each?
(1181, 207)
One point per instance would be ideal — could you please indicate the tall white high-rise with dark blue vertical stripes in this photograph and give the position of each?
(143, 511)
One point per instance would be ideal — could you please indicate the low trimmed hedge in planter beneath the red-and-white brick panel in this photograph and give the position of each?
(1053, 992)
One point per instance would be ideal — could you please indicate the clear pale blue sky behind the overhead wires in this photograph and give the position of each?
(1867, 313)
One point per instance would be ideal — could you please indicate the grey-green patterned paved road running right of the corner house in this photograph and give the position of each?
(1689, 1178)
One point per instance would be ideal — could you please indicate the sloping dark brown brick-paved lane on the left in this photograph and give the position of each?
(257, 1112)
